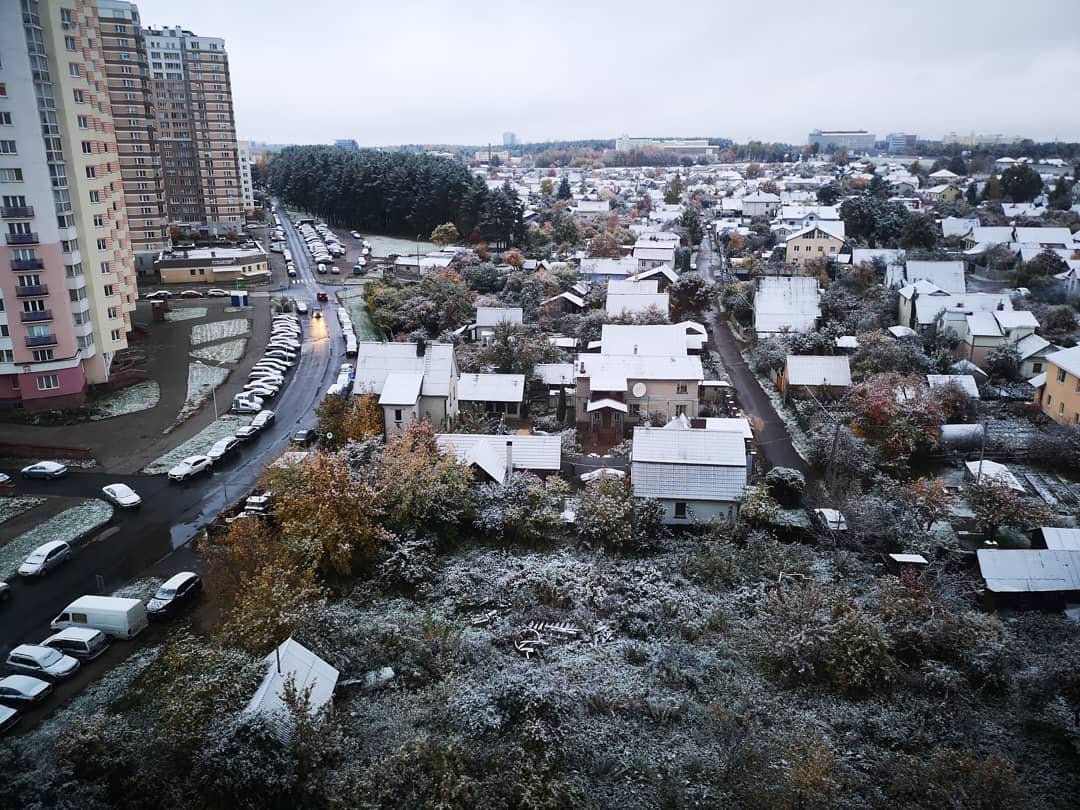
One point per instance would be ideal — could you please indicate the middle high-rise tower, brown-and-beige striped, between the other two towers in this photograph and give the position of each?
(131, 96)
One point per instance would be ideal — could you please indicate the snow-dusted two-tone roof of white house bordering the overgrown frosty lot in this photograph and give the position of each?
(692, 465)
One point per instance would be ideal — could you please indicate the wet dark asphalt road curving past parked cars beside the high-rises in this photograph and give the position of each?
(172, 515)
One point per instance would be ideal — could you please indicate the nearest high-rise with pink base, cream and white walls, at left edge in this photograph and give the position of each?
(66, 277)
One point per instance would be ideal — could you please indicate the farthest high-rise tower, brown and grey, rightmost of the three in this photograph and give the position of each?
(197, 129)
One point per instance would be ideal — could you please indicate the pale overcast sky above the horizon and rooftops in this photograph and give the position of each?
(463, 73)
